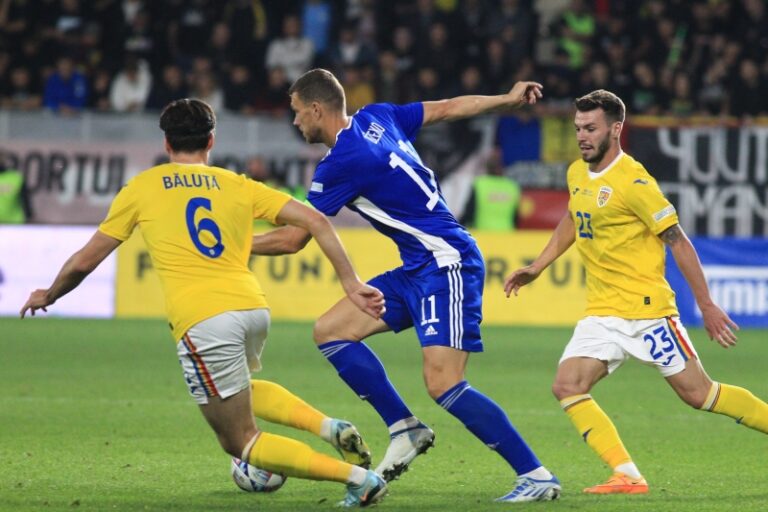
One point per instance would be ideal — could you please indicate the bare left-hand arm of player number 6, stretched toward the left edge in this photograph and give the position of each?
(76, 268)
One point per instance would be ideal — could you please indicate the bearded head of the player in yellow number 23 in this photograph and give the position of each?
(599, 119)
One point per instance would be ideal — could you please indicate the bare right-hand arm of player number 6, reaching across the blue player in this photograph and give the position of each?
(367, 298)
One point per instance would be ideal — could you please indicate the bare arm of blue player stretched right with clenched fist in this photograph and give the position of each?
(460, 107)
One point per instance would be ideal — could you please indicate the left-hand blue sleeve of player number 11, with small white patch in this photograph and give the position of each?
(332, 187)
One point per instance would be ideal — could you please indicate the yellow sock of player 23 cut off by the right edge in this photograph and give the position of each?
(739, 404)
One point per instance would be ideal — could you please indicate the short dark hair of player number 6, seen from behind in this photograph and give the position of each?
(187, 124)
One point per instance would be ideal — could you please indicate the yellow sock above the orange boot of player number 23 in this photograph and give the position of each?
(597, 429)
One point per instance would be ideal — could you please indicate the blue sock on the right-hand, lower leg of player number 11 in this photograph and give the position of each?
(490, 424)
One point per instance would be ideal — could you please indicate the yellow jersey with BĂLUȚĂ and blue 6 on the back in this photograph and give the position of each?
(197, 223)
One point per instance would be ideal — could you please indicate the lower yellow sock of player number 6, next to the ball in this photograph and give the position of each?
(294, 458)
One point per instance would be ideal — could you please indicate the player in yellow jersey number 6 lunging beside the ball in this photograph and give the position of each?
(196, 221)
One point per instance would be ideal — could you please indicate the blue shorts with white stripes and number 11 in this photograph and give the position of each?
(444, 304)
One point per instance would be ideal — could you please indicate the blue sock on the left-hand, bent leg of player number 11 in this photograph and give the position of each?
(359, 367)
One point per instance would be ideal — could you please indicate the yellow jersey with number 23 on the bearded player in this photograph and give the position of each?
(618, 214)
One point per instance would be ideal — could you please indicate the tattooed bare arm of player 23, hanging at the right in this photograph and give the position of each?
(718, 324)
